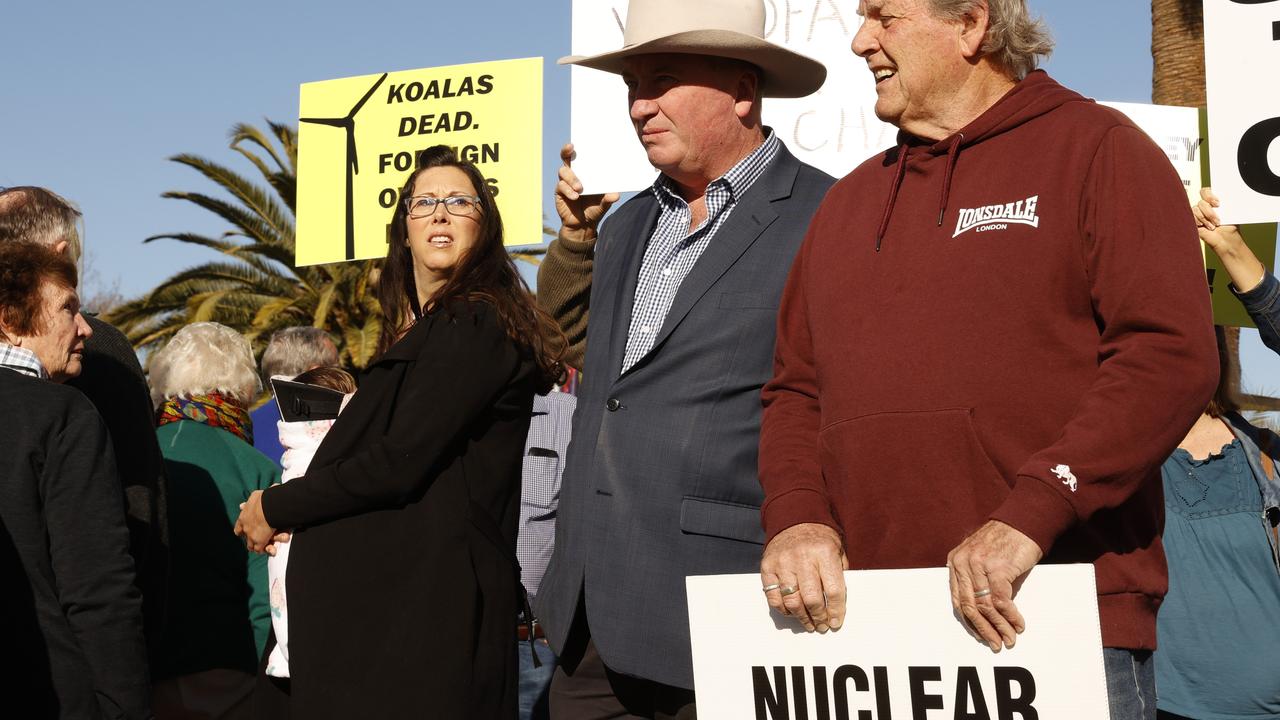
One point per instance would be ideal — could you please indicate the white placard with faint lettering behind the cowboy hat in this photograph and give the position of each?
(834, 130)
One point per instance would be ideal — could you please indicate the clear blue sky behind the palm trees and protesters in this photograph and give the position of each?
(98, 95)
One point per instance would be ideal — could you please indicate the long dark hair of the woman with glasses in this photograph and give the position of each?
(486, 272)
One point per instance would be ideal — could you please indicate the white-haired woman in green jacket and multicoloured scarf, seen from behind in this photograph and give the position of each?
(220, 614)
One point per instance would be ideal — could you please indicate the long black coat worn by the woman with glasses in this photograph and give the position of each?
(403, 580)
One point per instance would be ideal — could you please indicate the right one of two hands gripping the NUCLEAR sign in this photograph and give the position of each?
(986, 571)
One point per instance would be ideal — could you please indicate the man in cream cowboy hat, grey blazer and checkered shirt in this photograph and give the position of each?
(661, 476)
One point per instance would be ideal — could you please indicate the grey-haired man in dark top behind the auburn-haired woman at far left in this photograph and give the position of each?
(113, 381)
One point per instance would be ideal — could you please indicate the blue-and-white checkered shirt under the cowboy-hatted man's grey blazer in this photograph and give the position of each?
(673, 250)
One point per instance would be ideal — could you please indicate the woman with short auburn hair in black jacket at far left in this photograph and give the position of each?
(71, 618)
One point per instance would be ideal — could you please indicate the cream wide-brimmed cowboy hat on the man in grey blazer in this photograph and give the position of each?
(725, 29)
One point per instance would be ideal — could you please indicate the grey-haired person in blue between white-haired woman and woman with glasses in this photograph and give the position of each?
(289, 354)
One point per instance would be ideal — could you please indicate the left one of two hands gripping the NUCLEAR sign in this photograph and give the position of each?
(808, 560)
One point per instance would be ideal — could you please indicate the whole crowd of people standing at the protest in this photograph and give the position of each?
(988, 348)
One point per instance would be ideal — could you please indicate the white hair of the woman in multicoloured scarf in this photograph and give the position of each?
(202, 359)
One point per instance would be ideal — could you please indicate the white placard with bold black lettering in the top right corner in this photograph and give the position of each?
(1242, 53)
